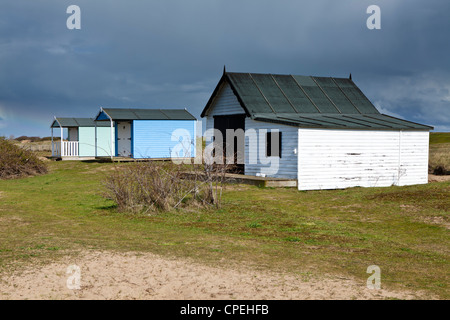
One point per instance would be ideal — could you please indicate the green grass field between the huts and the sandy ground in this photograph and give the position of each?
(403, 230)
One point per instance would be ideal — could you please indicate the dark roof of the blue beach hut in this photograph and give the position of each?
(144, 114)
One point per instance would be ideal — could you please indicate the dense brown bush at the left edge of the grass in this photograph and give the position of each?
(16, 162)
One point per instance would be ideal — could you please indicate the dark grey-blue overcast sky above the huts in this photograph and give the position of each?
(171, 53)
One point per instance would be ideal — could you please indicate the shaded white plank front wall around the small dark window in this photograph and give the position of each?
(287, 165)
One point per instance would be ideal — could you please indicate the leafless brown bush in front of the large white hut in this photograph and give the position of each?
(143, 187)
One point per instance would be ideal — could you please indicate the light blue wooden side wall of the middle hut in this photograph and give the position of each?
(153, 138)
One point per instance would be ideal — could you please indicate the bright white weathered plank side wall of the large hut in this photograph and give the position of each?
(333, 159)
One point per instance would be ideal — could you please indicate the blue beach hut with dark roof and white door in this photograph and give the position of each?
(150, 133)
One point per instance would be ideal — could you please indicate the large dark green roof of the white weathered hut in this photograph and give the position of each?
(306, 101)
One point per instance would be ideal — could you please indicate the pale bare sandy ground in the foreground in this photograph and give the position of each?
(107, 275)
